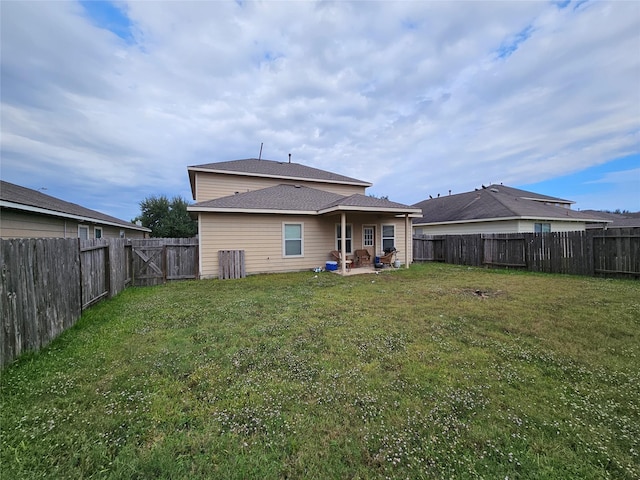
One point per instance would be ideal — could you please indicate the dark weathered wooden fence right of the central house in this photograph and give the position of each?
(612, 252)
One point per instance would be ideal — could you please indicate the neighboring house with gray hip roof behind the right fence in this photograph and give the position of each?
(499, 209)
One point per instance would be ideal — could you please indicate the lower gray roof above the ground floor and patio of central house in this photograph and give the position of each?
(297, 198)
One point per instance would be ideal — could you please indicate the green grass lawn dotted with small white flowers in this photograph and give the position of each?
(438, 371)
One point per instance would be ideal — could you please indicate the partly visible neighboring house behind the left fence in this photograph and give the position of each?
(26, 213)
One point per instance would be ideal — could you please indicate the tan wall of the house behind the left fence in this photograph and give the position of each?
(15, 224)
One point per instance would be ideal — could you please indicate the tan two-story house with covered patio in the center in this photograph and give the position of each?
(289, 217)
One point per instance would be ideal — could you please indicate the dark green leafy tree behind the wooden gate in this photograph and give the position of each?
(167, 218)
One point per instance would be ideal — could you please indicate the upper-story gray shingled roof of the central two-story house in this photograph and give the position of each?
(273, 169)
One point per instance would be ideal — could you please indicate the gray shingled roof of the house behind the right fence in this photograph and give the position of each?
(496, 202)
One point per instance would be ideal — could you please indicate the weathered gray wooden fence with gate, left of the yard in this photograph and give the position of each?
(46, 283)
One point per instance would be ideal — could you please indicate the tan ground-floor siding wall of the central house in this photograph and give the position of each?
(260, 236)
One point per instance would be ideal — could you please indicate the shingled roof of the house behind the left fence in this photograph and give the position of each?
(25, 199)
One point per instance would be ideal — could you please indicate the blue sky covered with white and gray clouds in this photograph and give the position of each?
(104, 104)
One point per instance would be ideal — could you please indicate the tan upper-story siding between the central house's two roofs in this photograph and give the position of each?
(213, 185)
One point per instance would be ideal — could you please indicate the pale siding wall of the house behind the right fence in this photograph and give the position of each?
(504, 226)
